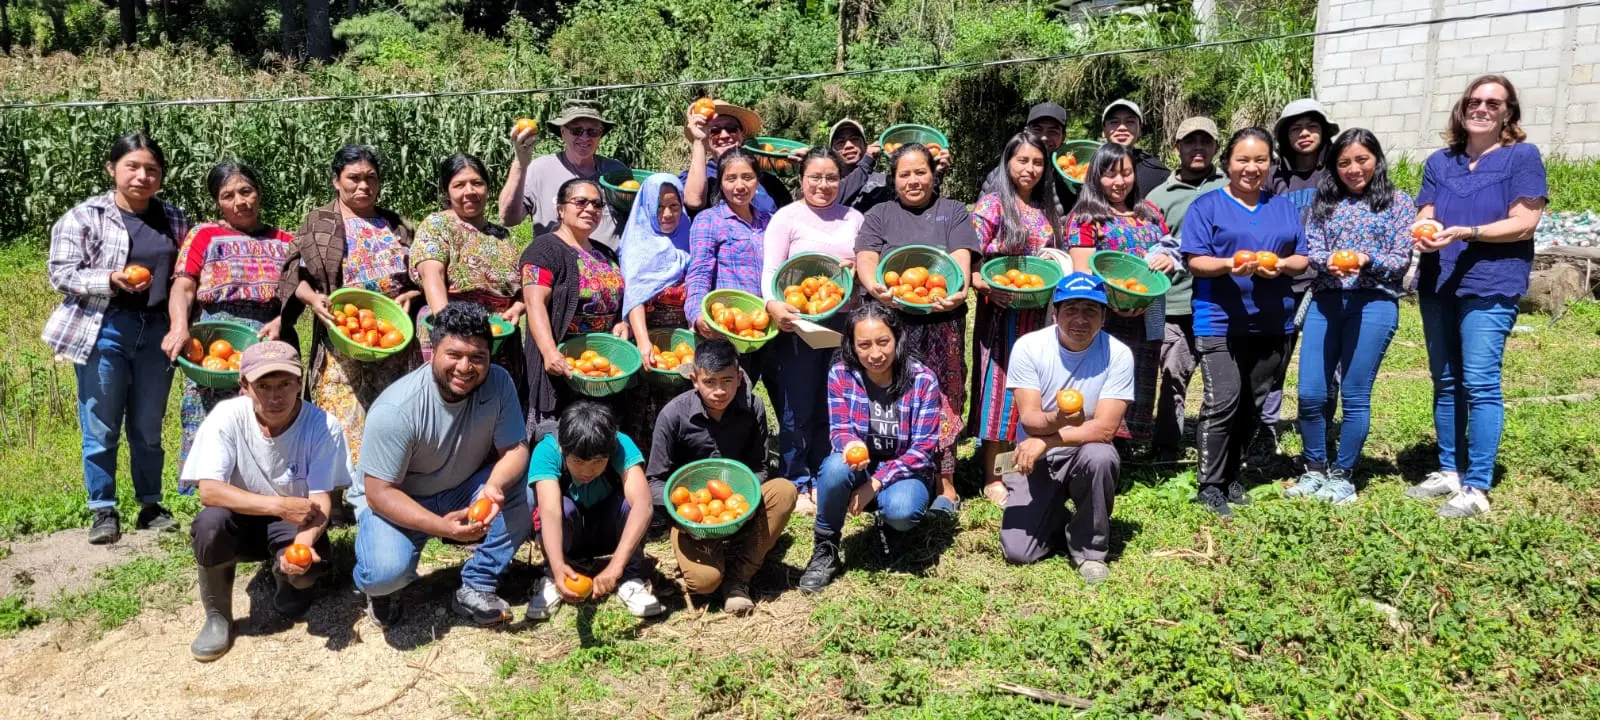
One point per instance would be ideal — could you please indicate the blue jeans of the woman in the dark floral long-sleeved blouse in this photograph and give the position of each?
(1346, 334)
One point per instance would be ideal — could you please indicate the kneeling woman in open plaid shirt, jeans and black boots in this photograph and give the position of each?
(884, 423)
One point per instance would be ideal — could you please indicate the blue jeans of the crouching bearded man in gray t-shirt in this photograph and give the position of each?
(386, 554)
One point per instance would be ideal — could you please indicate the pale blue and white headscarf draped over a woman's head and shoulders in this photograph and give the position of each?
(652, 260)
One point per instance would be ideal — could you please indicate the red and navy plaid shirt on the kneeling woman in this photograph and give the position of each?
(850, 410)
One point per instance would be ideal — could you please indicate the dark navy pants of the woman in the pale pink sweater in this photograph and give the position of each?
(798, 385)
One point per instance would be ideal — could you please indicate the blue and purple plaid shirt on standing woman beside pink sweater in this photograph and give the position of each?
(726, 254)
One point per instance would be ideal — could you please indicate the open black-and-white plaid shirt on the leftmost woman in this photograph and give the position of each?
(86, 247)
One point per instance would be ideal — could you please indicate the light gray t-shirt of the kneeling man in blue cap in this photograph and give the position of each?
(1039, 362)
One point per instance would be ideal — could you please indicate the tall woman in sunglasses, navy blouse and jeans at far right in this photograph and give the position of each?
(1486, 193)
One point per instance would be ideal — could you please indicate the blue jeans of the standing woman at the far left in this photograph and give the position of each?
(126, 382)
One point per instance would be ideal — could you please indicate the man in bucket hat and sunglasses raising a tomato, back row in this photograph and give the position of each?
(534, 182)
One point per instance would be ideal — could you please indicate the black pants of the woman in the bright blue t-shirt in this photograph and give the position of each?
(1239, 374)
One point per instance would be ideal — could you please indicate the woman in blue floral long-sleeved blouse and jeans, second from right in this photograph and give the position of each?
(1359, 241)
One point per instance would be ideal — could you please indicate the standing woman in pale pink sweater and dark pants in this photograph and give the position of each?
(820, 225)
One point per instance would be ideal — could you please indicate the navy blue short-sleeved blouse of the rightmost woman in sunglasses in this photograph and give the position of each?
(1476, 198)
